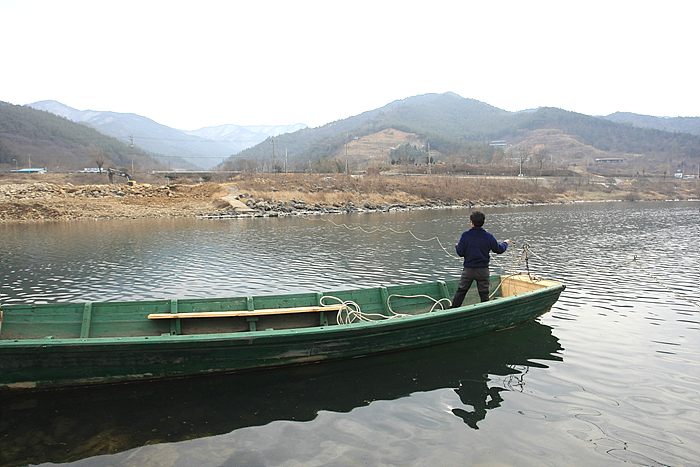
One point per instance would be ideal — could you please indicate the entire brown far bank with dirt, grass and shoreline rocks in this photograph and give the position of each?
(56, 197)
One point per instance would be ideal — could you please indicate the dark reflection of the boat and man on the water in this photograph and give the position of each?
(71, 424)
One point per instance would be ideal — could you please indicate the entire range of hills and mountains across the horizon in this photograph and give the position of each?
(454, 129)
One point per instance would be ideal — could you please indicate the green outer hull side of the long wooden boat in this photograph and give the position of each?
(37, 363)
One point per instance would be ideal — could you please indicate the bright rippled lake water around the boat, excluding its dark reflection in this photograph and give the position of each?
(626, 391)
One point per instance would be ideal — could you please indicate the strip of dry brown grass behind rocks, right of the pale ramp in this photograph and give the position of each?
(339, 188)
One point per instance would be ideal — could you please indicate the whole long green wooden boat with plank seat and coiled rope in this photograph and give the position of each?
(71, 344)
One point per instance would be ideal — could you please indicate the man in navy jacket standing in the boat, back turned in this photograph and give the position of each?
(475, 246)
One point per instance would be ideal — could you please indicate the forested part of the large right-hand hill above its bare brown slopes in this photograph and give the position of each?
(455, 127)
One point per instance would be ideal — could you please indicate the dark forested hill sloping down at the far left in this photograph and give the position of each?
(42, 139)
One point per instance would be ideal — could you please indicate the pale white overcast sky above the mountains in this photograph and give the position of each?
(203, 63)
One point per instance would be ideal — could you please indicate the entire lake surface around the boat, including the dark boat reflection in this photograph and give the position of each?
(611, 376)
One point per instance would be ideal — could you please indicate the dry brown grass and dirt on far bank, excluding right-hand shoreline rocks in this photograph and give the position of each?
(198, 199)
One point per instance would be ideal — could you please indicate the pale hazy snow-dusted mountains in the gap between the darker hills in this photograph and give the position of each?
(203, 148)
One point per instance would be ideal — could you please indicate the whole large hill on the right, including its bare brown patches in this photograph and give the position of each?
(458, 130)
